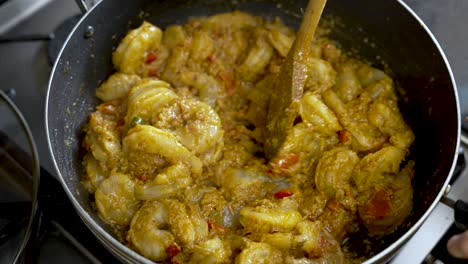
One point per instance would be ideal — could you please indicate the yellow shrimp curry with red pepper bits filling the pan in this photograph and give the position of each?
(175, 154)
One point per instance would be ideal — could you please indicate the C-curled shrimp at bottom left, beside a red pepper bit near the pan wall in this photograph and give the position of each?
(146, 232)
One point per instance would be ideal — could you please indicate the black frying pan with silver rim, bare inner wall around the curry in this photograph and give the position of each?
(386, 33)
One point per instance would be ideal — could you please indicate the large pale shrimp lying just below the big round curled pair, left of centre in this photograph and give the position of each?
(149, 149)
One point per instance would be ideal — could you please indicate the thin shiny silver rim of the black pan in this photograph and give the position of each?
(386, 254)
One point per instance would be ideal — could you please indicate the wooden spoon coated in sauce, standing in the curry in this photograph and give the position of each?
(289, 86)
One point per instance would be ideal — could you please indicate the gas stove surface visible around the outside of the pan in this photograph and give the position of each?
(31, 32)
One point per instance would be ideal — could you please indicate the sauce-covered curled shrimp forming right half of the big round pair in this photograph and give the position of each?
(196, 125)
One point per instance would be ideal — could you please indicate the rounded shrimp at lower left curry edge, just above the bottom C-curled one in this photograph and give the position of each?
(115, 200)
